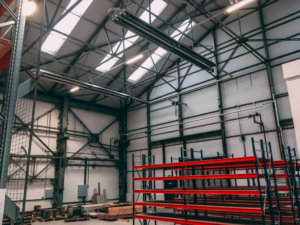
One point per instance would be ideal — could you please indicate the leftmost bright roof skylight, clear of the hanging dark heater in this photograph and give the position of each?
(55, 40)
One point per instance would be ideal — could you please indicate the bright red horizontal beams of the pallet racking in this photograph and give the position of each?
(209, 192)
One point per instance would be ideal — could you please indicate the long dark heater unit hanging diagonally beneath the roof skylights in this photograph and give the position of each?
(143, 29)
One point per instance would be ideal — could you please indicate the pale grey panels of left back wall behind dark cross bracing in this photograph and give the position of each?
(74, 175)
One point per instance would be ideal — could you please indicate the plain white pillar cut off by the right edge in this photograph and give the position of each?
(291, 73)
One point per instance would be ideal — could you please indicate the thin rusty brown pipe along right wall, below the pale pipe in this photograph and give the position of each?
(188, 128)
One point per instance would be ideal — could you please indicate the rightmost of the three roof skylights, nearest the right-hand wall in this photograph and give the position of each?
(159, 53)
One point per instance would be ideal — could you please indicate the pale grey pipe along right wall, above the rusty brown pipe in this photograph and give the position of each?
(192, 121)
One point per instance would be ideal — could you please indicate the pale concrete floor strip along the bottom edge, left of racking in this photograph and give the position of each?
(96, 221)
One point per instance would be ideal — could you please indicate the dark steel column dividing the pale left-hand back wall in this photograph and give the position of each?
(60, 164)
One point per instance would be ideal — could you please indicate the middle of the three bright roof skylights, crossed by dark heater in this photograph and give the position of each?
(157, 6)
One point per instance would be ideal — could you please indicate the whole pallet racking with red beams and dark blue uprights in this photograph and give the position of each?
(259, 203)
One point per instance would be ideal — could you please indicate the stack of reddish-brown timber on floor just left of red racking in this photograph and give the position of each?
(118, 211)
